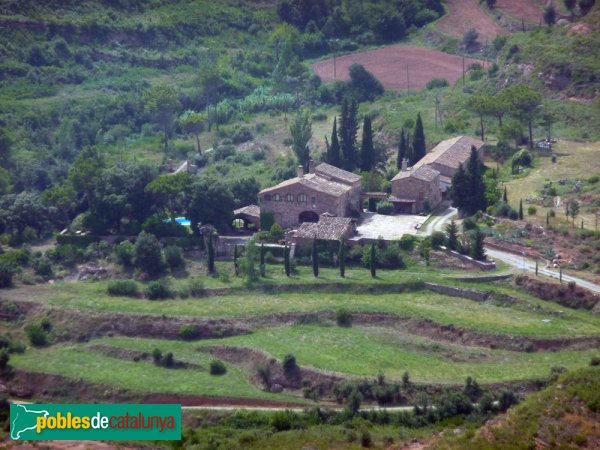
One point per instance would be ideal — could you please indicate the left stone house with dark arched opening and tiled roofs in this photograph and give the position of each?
(304, 198)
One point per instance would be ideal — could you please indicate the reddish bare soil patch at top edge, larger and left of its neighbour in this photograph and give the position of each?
(466, 14)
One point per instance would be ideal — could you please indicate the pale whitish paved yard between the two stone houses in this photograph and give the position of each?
(389, 227)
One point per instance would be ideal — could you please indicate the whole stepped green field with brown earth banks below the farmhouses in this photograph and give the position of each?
(107, 342)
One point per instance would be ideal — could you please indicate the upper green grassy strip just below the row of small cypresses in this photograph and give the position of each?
(525, 319)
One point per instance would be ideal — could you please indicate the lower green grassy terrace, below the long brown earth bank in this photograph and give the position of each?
(357, 351)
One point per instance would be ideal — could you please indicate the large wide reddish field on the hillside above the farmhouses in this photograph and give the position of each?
(389, 66)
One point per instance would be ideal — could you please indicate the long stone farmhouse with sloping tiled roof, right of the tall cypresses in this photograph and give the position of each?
(426, 184)
